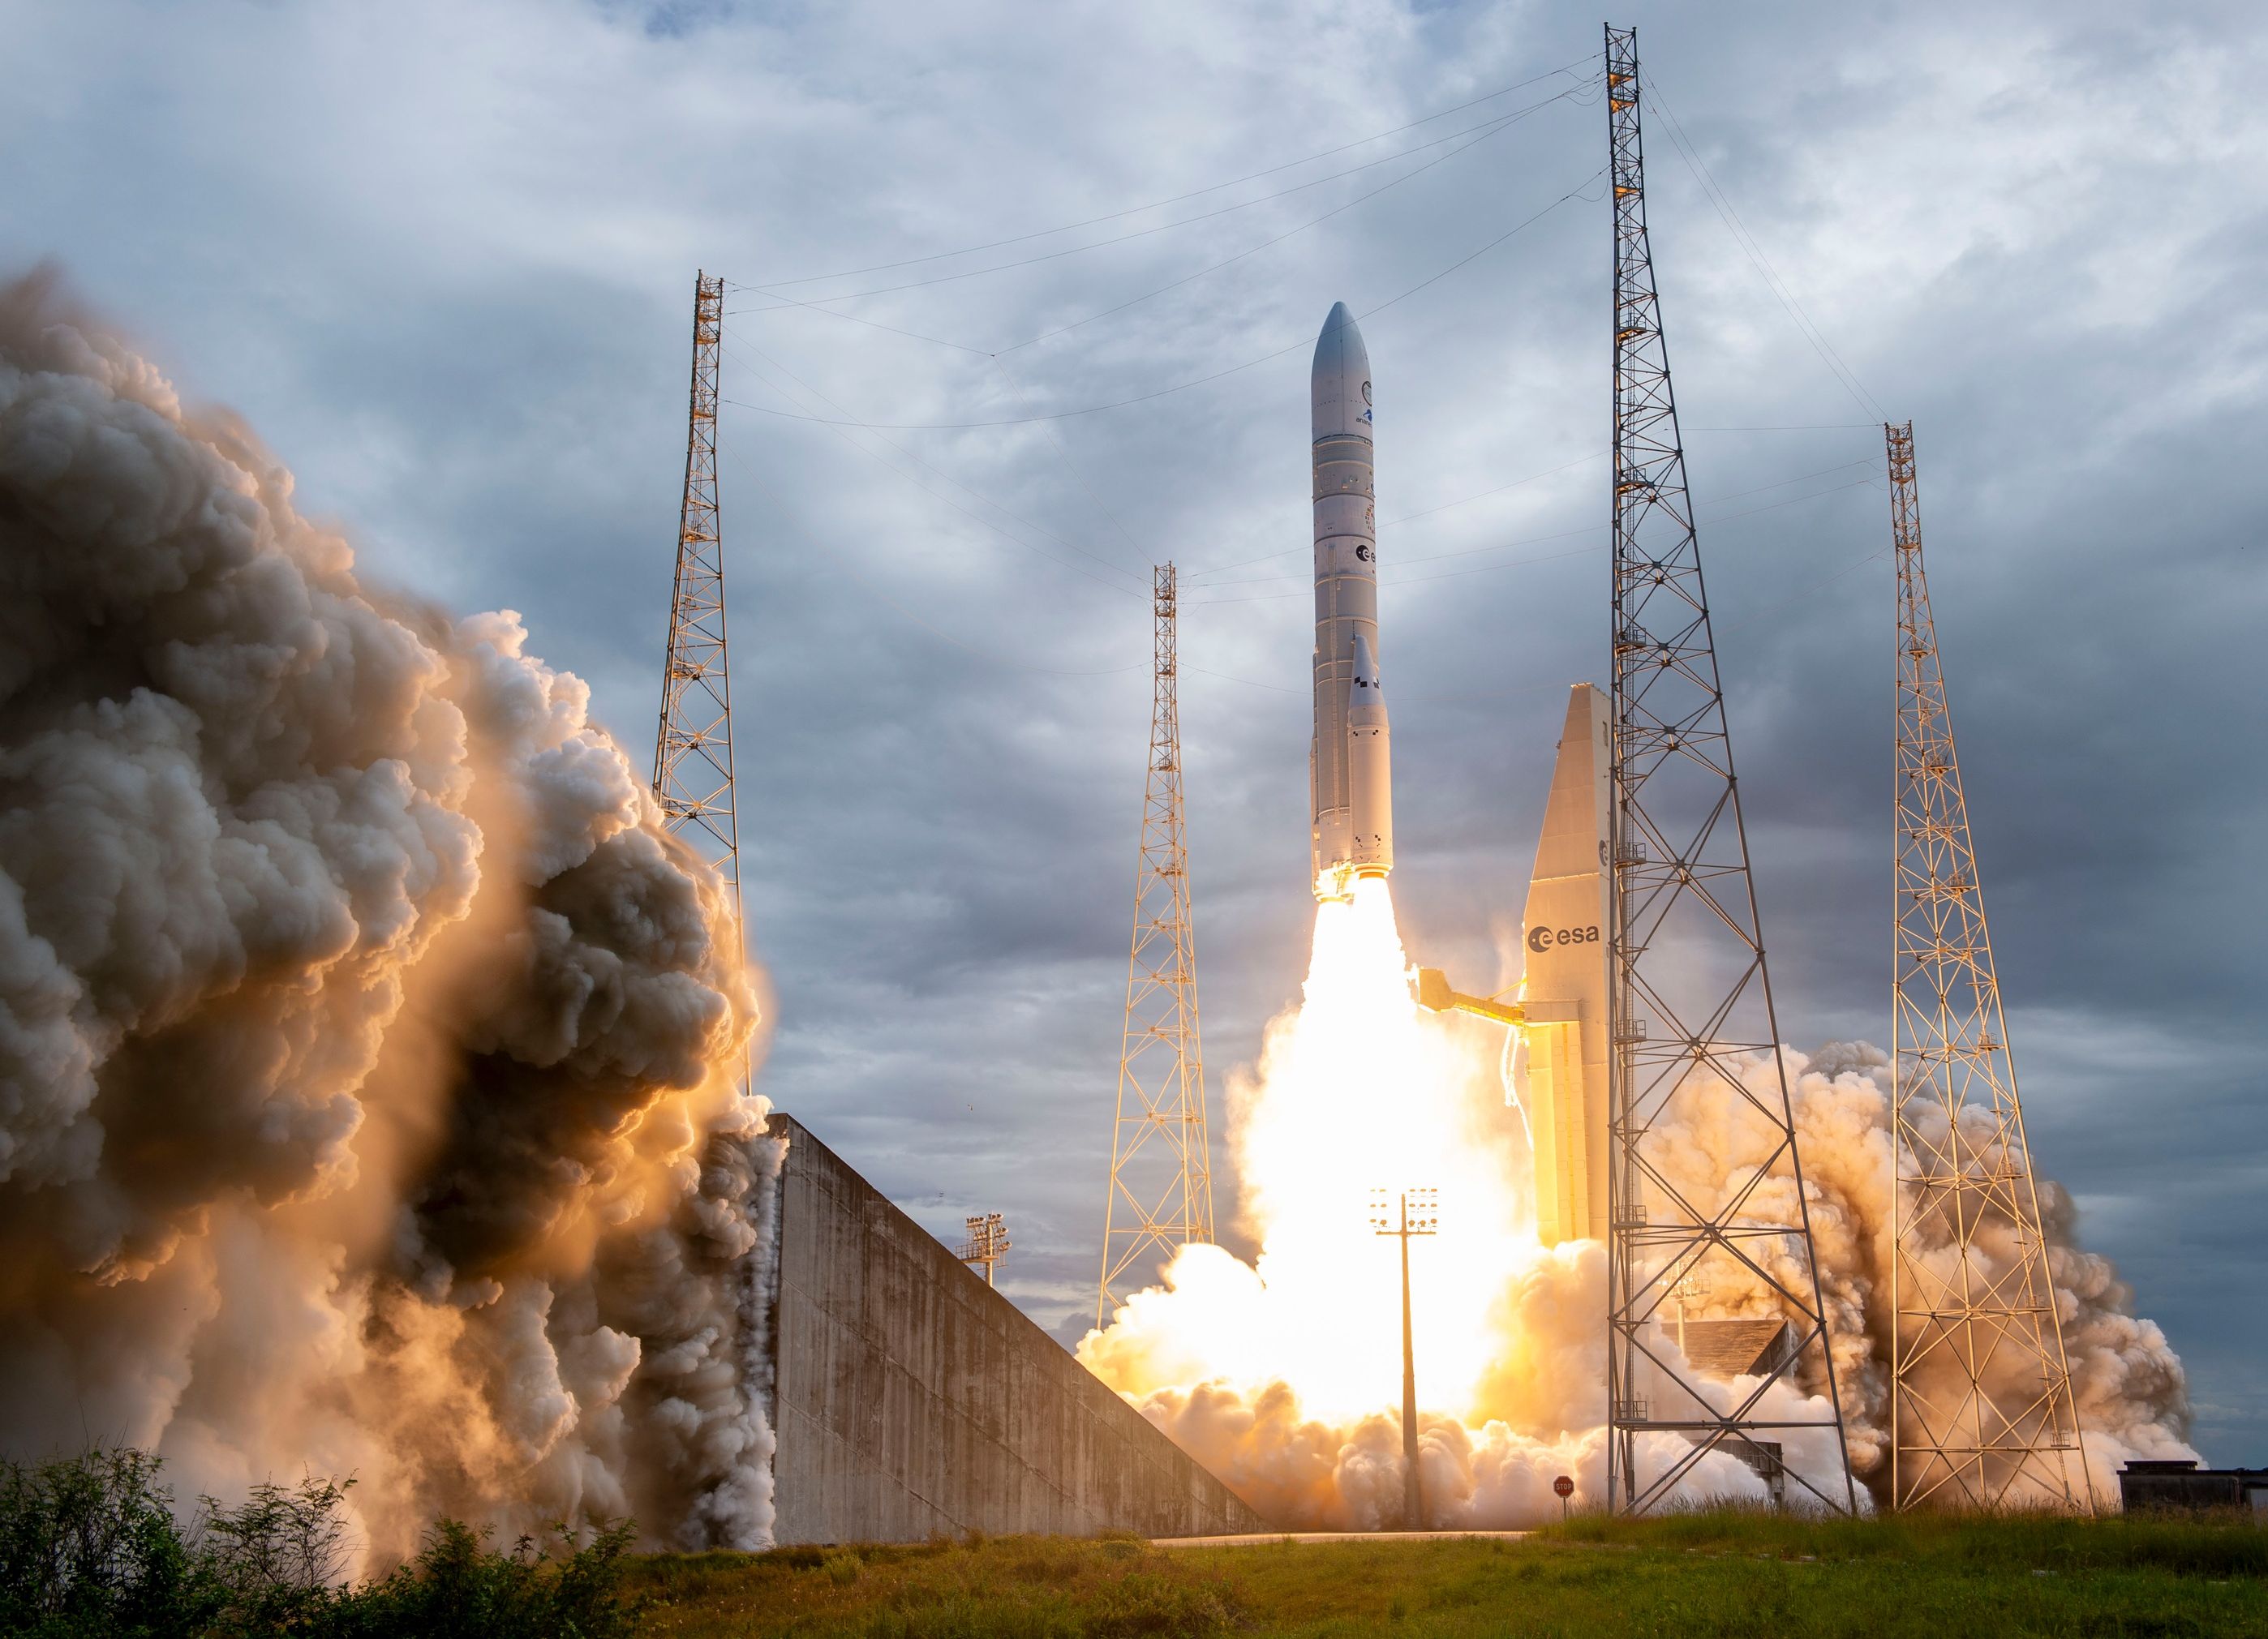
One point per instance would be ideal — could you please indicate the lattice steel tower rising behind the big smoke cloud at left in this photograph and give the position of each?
(693, 754)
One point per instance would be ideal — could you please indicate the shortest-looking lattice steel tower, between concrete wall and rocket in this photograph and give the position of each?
(1162, 1162)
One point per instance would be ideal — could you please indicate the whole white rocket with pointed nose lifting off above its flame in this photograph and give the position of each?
(1351, 761)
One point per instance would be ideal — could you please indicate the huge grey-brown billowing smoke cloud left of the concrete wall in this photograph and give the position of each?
(369, 1055)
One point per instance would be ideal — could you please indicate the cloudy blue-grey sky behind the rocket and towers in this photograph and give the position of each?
(1047, 289)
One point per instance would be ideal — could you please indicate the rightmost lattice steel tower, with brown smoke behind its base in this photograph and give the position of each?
(1981, 1389)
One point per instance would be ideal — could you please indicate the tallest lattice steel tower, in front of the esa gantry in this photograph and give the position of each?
(1691, 994)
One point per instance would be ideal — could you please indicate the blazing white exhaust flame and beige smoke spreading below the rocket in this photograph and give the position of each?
(1287, 1382)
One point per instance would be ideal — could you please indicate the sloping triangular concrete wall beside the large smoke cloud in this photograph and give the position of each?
(913, 1400)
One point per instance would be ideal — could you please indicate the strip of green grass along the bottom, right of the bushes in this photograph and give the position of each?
(1693, 1574)
